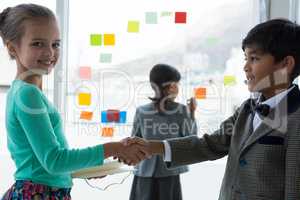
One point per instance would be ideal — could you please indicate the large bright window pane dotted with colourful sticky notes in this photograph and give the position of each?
(206, 49)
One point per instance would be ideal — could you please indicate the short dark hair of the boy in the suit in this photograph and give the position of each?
(279, 37)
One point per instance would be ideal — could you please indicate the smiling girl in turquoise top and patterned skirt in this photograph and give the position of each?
(34, 128)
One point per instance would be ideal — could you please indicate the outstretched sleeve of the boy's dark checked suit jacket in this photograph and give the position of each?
(192, 149)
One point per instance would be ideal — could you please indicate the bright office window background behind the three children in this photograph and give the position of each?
(107, 52)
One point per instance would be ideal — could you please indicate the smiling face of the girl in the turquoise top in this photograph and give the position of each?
(38, 49)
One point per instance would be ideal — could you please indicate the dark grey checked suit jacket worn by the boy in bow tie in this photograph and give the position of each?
(261, 165)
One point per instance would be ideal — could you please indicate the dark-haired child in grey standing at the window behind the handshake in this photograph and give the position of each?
(161, 119)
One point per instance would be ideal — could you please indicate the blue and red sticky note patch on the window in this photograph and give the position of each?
(115, 116)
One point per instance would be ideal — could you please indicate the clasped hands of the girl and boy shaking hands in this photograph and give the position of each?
(133, 150)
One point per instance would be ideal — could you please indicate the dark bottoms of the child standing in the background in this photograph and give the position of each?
(156, 188)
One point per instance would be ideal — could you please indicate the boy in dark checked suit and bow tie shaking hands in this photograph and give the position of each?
(262, 138)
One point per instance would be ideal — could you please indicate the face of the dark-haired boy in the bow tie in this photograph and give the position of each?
(262, 72)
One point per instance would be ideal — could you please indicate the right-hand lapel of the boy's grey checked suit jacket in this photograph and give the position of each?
(277, 118)
